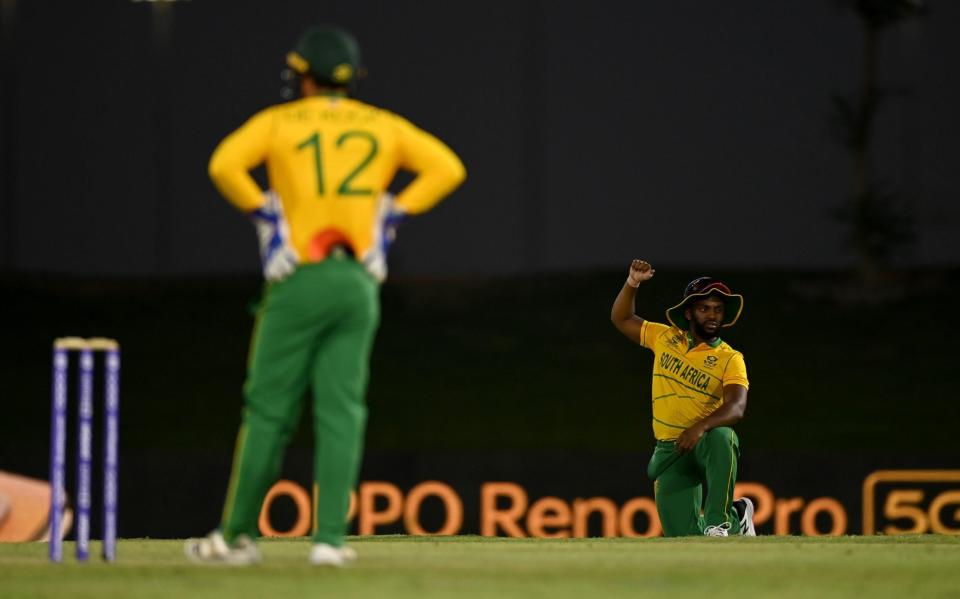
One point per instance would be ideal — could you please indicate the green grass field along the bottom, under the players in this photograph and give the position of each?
(460, 567)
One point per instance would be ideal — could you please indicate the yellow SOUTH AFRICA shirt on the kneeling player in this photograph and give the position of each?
(687, 381)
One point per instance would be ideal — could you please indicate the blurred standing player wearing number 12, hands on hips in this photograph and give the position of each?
(324, 227)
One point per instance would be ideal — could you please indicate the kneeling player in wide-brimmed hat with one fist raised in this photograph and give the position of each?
(699, 392)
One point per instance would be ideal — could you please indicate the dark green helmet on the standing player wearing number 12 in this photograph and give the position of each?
(330, 54)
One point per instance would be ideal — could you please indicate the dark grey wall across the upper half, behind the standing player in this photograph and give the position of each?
(591, 132)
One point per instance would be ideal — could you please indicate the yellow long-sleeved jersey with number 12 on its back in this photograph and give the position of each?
(330, 159)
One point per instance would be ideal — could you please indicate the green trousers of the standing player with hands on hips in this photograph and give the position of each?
(315, 330)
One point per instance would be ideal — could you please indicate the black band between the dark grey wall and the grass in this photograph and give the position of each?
(499, 379)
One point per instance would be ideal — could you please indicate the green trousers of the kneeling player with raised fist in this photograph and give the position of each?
(679, 480)
